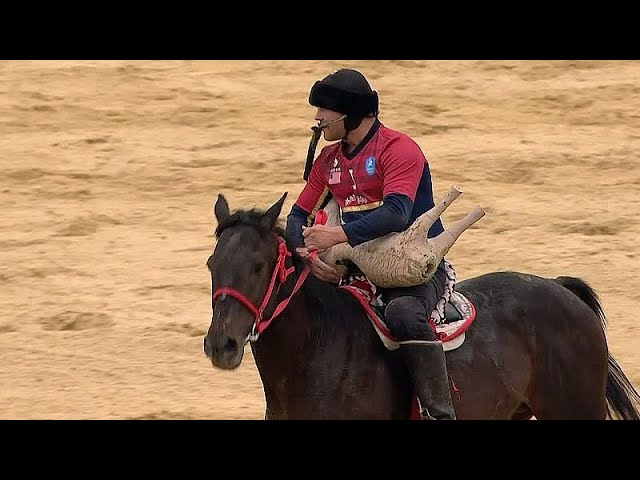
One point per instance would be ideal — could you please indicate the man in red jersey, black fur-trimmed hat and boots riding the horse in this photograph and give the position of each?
(381, 180)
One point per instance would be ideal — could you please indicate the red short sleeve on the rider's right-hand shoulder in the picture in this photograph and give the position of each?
(402, 166)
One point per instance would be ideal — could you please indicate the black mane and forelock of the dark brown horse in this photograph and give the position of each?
(330, 308)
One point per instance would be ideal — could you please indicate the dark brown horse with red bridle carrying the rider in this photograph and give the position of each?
(537, 346)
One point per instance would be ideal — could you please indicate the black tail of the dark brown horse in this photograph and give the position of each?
(622, 397)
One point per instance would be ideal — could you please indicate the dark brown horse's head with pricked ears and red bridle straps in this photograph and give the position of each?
(246, 260)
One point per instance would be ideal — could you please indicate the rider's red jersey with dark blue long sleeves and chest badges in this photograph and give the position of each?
(381, 187)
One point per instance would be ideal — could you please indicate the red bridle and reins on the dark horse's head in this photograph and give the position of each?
(280, 274)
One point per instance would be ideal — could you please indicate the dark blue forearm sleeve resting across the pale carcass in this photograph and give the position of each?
(392, 216)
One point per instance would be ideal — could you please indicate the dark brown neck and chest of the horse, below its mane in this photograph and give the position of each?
(305, 360)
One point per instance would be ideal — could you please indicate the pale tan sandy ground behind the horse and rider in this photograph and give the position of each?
(110, 171)
